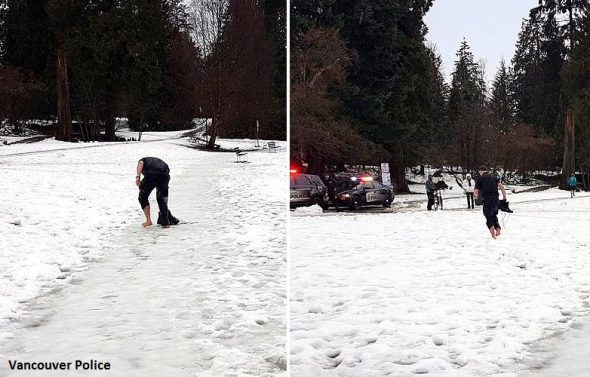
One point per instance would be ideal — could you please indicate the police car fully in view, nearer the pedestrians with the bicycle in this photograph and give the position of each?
(363, 191)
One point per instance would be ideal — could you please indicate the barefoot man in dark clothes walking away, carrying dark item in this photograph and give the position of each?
(487, 186)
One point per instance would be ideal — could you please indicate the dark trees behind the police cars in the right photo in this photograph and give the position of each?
(367, 87)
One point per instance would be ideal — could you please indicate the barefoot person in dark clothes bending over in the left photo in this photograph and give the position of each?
(156, 174)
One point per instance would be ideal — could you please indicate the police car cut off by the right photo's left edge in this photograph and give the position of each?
(307, 190)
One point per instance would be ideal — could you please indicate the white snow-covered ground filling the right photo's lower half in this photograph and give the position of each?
(407, 292)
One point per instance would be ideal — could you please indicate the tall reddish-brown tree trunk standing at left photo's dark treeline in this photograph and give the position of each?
(63, 131)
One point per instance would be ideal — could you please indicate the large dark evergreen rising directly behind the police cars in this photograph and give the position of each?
(385, 86)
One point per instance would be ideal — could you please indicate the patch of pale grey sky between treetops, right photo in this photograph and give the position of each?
(490, 27)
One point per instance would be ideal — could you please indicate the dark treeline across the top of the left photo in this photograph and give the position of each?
(160, 63)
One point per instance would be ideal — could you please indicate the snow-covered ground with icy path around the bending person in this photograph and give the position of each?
(80, 279)
